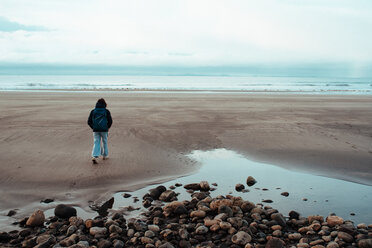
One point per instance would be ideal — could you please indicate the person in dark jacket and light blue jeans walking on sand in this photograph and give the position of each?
(100, 121)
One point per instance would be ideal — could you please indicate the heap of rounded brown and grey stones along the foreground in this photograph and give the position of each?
(202, 221)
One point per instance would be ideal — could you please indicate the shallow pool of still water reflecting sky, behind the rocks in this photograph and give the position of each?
(308, 194)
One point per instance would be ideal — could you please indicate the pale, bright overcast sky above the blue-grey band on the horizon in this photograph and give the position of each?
(172, 32)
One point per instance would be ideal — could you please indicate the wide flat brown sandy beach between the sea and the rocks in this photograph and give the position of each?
(46, 142)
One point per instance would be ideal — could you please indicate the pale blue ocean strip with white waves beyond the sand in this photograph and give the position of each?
(298, 85)
